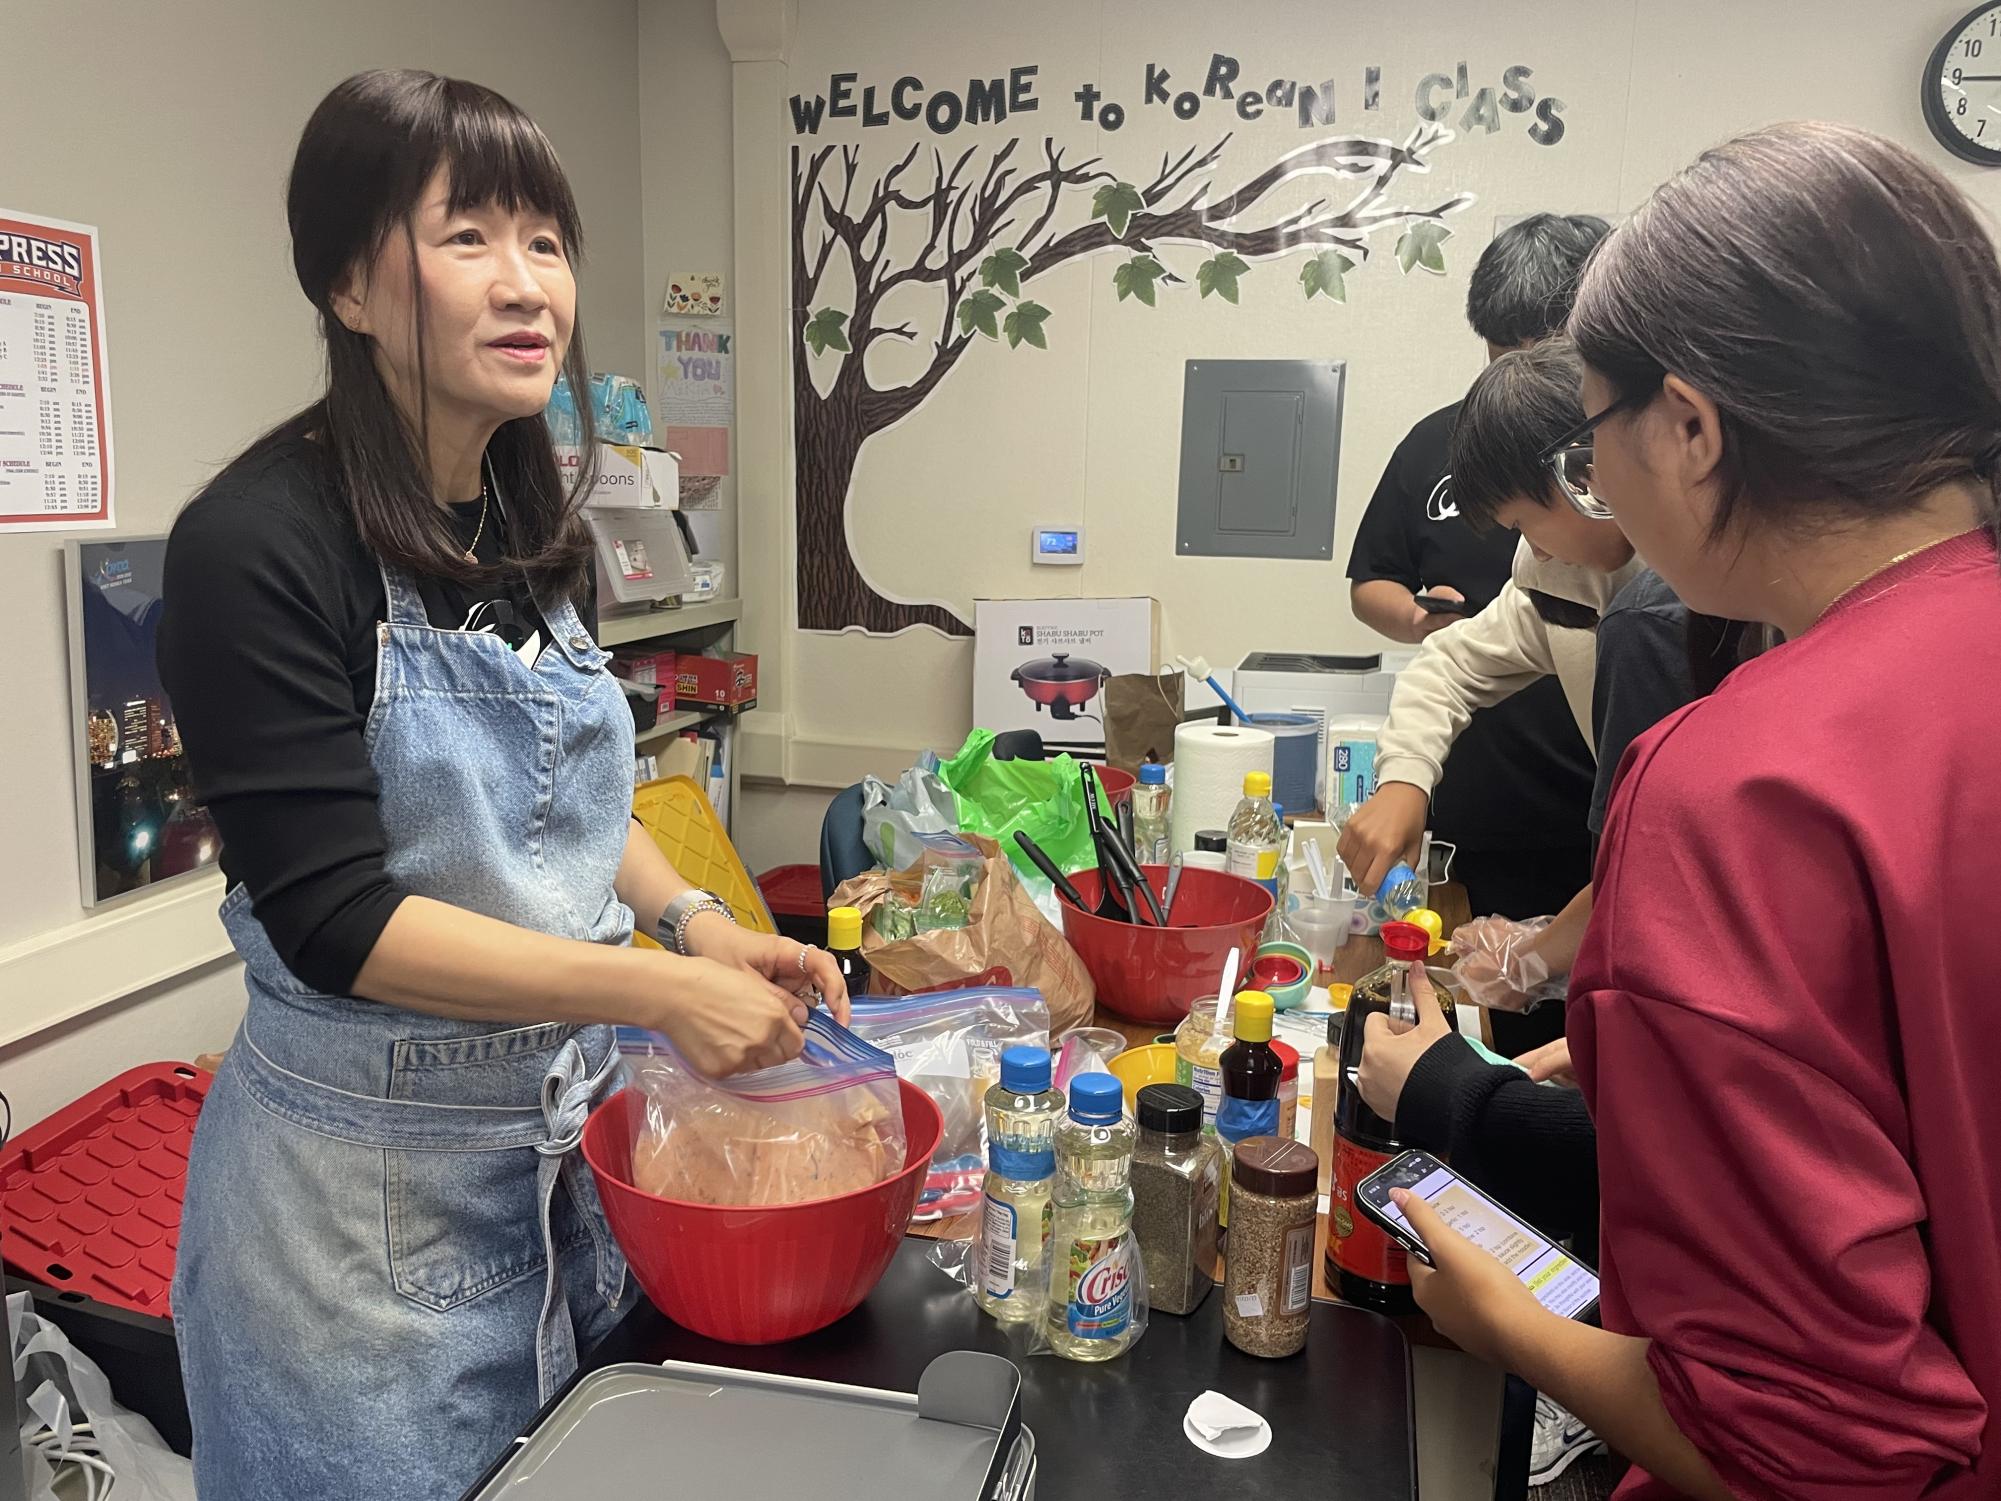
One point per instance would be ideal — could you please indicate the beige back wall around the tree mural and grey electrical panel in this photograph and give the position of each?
(1090, 429)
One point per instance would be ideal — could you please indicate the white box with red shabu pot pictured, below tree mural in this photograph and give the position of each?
(1042, 665)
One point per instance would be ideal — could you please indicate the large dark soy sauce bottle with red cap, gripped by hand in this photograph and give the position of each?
(1362, 1262)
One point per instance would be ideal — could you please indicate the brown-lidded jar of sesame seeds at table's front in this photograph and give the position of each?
(1268, 1282)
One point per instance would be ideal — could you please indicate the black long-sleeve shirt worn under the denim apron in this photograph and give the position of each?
(269, 655)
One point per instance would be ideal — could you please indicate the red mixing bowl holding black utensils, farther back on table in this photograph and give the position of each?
(1154, 976)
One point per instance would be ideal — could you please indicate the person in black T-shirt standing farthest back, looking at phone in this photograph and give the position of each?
(1518, 790)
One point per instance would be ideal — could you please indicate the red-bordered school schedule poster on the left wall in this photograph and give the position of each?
(55, 411)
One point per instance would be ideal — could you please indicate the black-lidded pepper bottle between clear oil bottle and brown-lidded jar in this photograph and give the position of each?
(1176, 1178)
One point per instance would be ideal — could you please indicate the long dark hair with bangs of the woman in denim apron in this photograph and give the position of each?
(361, 169)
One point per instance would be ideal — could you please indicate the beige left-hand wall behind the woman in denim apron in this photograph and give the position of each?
(171, 129)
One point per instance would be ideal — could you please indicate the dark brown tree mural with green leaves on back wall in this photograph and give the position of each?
(989, 235)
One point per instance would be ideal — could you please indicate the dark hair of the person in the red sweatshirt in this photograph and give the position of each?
(1836, 299)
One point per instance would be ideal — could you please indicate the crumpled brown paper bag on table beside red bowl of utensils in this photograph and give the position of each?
(1006, 932)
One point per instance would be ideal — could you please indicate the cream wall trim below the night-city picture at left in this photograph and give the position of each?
(89, 966)
